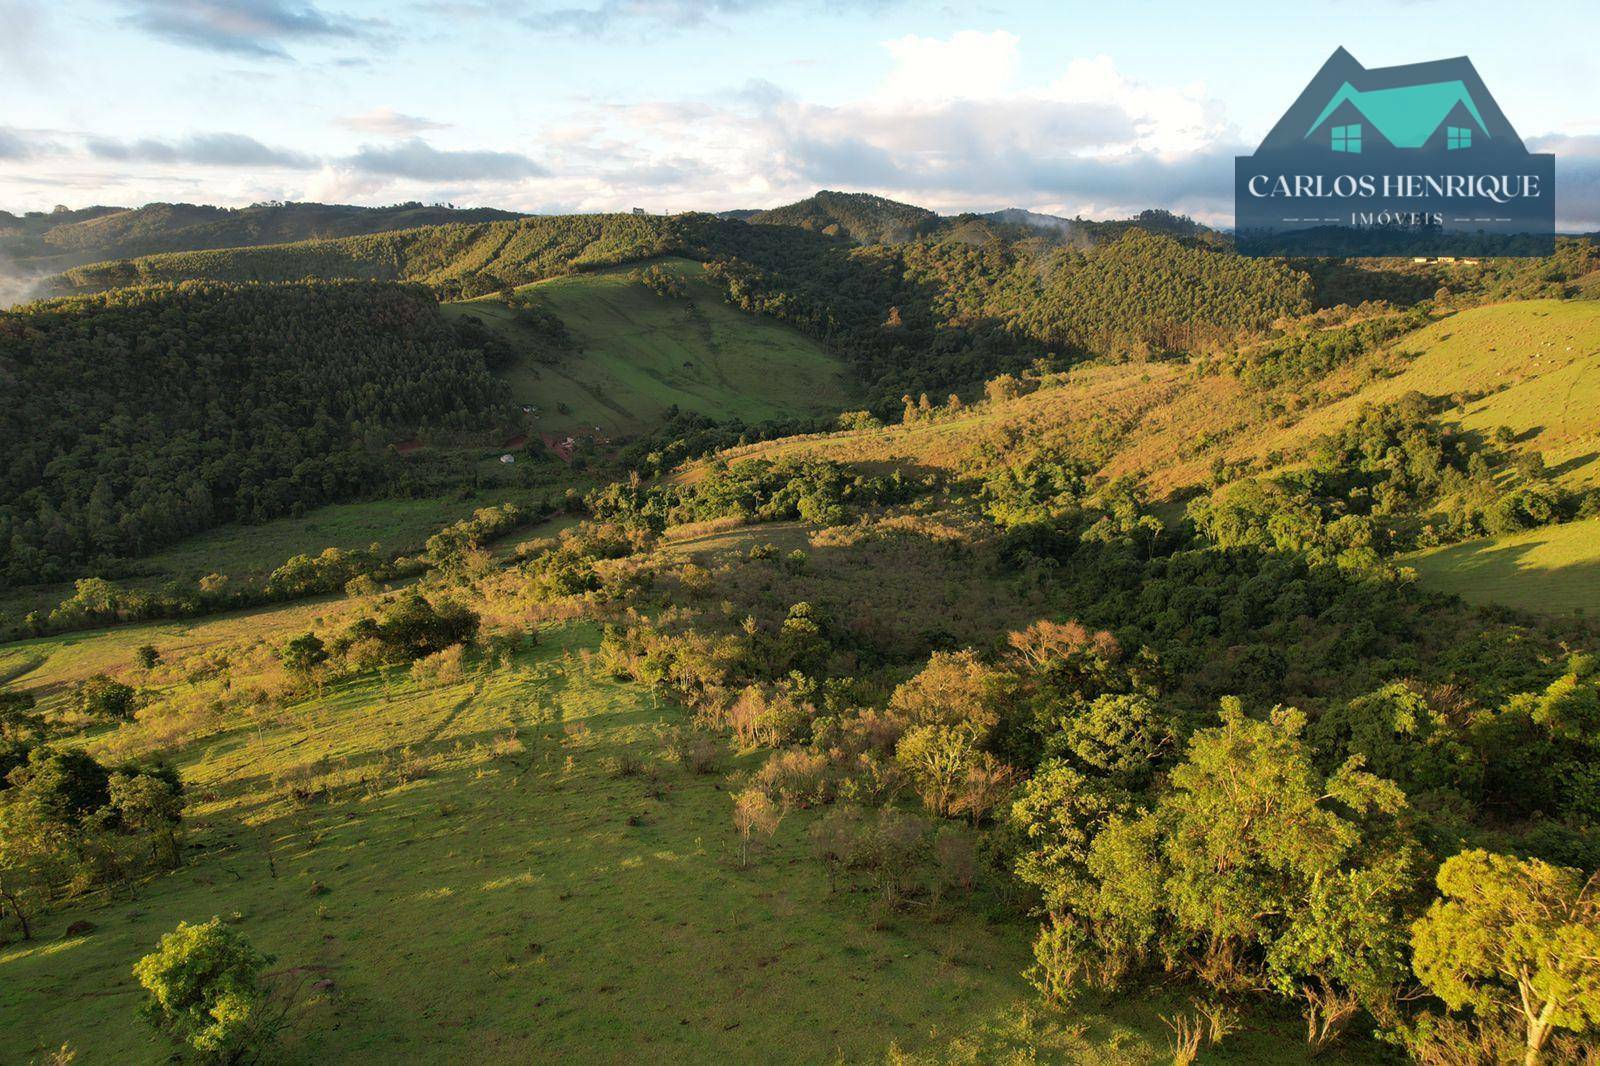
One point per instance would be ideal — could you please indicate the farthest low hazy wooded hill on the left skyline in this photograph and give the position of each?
(52, 241)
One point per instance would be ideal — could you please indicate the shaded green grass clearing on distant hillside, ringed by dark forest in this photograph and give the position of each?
(641, 353)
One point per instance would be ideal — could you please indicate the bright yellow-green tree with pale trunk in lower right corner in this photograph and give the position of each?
(1514, 937)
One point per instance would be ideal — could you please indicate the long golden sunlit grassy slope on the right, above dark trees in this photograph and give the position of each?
(1532, 366)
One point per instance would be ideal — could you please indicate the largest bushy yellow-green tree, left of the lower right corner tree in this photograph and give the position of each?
(1273, 860)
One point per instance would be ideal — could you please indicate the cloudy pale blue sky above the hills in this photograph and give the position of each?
(1082, 110)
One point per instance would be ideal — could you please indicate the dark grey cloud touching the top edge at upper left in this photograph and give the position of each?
(247, 28)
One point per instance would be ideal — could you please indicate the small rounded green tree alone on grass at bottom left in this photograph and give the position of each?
(204, 988)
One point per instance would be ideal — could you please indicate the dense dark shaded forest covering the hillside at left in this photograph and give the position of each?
(142, 417)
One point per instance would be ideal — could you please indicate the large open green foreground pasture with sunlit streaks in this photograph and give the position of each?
(473, 880)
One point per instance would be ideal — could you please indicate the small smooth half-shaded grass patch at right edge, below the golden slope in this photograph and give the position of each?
(1554, 571)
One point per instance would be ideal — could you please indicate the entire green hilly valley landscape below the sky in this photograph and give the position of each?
(836, 633)
